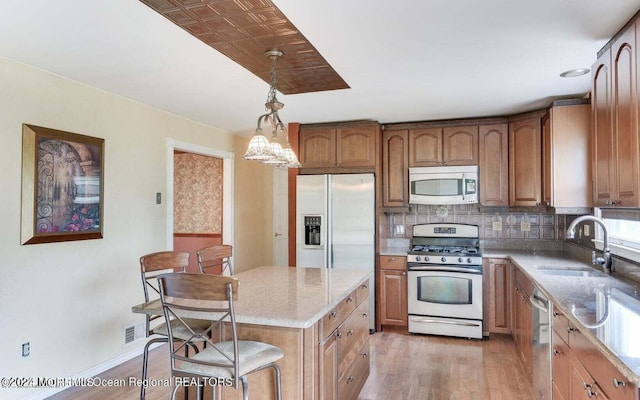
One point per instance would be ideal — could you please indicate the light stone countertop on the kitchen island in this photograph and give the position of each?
(285, 296)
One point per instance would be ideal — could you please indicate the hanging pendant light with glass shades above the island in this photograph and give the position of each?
(275, 150)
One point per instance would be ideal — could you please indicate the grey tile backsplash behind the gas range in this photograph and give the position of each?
(496, 225)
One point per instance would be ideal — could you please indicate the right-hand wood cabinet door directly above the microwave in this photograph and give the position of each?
(460, 145)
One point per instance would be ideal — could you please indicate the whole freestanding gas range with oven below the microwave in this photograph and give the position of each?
(444, 280)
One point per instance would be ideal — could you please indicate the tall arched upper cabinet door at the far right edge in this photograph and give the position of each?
(625, 122)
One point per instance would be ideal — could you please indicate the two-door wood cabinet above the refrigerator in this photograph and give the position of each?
(339, 146)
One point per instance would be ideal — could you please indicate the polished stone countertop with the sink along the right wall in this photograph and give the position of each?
(618, 339)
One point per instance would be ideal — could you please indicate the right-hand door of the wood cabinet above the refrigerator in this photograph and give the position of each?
(356, 146)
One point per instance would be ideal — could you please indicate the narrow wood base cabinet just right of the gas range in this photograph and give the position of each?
(500, 287)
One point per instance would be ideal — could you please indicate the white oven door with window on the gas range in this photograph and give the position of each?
(445, 292)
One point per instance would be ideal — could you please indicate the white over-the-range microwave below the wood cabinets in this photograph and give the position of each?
(443, 185)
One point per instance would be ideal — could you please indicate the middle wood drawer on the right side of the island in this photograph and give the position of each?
(351, 335)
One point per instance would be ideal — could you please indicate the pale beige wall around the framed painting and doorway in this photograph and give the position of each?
(71, 300)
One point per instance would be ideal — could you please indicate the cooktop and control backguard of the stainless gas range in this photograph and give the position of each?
(453, 244)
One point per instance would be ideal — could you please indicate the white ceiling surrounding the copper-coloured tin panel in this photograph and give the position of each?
(405, 60)
